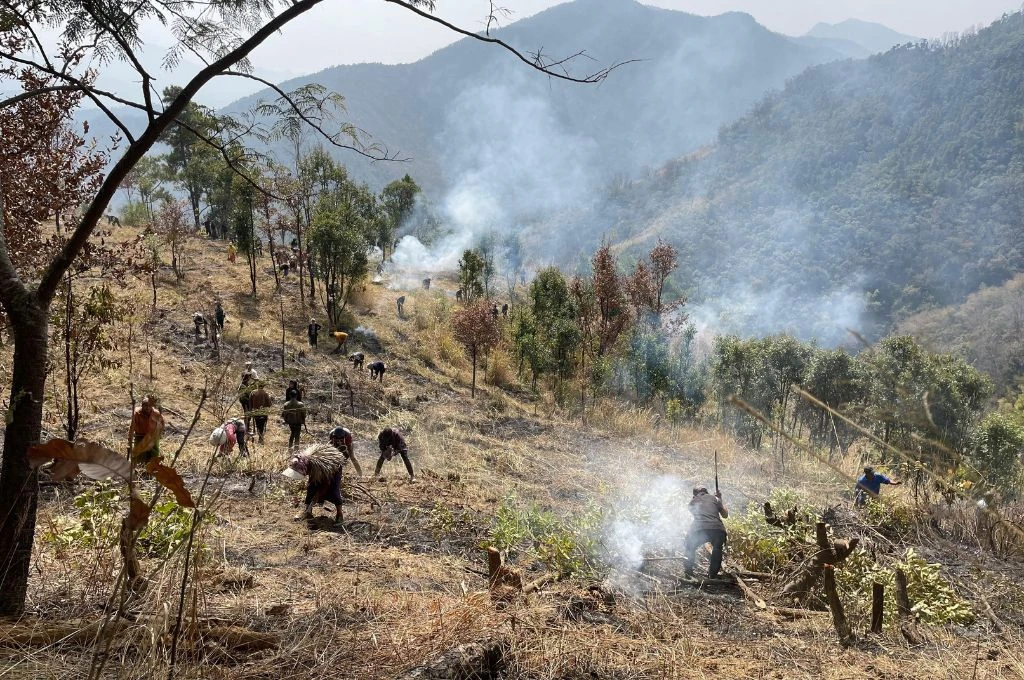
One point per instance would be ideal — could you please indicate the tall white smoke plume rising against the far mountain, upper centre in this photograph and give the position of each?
(513, 162)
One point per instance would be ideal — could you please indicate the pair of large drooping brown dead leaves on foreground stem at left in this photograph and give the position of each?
(98, 462)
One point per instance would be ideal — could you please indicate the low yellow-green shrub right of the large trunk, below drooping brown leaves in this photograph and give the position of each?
(97, 524)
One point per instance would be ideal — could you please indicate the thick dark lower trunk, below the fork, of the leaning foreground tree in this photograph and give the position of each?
(19, 484)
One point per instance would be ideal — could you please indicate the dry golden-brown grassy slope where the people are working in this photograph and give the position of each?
(401, 584)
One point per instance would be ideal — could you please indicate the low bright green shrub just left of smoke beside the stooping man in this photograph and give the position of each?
(566, 545)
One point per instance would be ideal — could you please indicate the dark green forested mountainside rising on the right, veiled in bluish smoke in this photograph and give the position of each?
(864, 192)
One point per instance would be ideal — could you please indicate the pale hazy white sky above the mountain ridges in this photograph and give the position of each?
(372, 31)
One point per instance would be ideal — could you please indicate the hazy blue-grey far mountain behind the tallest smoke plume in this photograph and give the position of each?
(468, 105)
